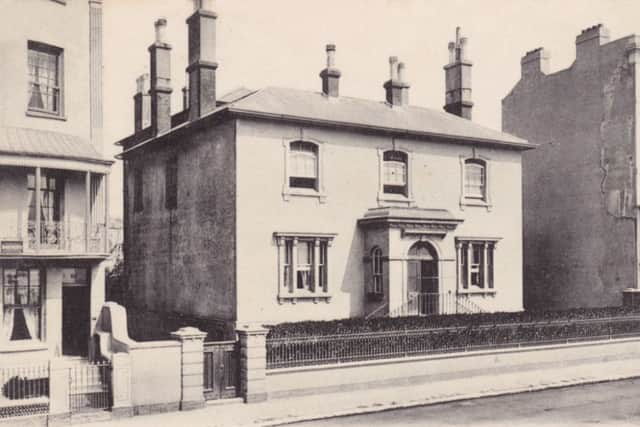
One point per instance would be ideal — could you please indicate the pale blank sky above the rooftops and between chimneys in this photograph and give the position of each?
(281, 43)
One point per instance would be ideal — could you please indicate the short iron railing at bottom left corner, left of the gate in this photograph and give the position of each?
(24, 390)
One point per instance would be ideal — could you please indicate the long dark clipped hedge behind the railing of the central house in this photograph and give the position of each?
(359, 325)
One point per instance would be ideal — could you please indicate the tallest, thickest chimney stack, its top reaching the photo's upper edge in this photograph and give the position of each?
(202, 55)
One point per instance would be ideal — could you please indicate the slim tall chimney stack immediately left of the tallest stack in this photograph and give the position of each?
(160, 58)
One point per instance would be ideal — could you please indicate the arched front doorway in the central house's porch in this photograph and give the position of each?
(423, 279)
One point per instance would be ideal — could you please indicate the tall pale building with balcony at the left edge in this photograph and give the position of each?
(53, 178)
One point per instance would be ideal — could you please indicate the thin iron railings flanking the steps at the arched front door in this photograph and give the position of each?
(427, 304)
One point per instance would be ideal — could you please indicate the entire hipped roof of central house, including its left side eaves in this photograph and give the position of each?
(315, 108)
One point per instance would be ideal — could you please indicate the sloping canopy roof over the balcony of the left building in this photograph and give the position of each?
(42, 143)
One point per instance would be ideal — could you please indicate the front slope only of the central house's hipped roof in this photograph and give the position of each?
(293, 103)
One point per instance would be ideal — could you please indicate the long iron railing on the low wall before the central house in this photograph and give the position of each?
(330, 349)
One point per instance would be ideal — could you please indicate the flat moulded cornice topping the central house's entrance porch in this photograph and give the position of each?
(410, 220)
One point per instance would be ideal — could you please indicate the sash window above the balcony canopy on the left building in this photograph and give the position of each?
(45, 78)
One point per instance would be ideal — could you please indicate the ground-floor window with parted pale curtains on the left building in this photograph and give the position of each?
(22, 303)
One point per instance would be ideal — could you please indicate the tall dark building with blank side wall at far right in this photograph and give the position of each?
(581, 184)
